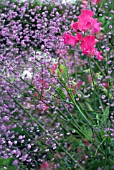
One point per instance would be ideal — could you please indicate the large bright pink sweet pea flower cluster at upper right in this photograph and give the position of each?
(85, 22)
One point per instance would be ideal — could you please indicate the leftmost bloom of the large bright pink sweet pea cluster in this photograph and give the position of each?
(70, 39)
